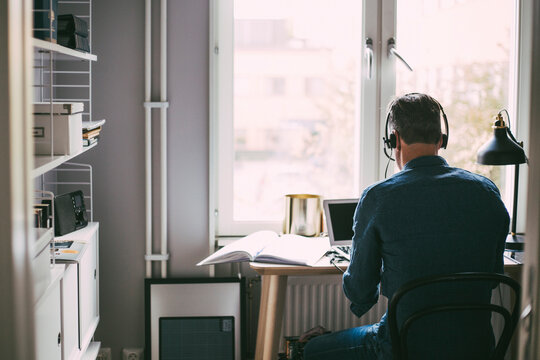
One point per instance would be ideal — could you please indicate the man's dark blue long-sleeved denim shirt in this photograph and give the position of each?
(427, 219)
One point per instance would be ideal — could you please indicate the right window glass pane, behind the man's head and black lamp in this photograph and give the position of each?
(461, 54)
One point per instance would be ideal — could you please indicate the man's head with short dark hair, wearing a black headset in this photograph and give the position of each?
(415, 121)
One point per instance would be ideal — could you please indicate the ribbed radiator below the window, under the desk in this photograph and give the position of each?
(319, 300)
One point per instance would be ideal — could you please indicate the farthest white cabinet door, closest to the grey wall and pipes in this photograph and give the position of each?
(88, 295)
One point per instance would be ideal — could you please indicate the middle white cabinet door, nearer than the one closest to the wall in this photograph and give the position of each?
(70, 312)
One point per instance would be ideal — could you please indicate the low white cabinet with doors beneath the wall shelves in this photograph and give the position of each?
(67, 313)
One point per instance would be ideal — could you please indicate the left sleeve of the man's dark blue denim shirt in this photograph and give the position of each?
(361, 280)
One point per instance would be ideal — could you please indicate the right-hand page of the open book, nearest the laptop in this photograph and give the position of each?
(295, 249)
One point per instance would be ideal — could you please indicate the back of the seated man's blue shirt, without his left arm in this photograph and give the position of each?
(435, 219)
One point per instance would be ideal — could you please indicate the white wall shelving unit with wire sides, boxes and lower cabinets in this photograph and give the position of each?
(66, 292)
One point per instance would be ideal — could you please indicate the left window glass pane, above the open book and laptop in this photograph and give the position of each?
(296, 70)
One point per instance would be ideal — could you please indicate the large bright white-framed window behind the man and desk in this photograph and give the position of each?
(294, 110)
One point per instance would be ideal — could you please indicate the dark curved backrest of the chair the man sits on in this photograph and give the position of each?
(399, 330)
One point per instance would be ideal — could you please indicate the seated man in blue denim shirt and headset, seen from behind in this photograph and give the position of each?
(427, 219)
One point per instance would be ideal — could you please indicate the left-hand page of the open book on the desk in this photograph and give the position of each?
(244, 249)
